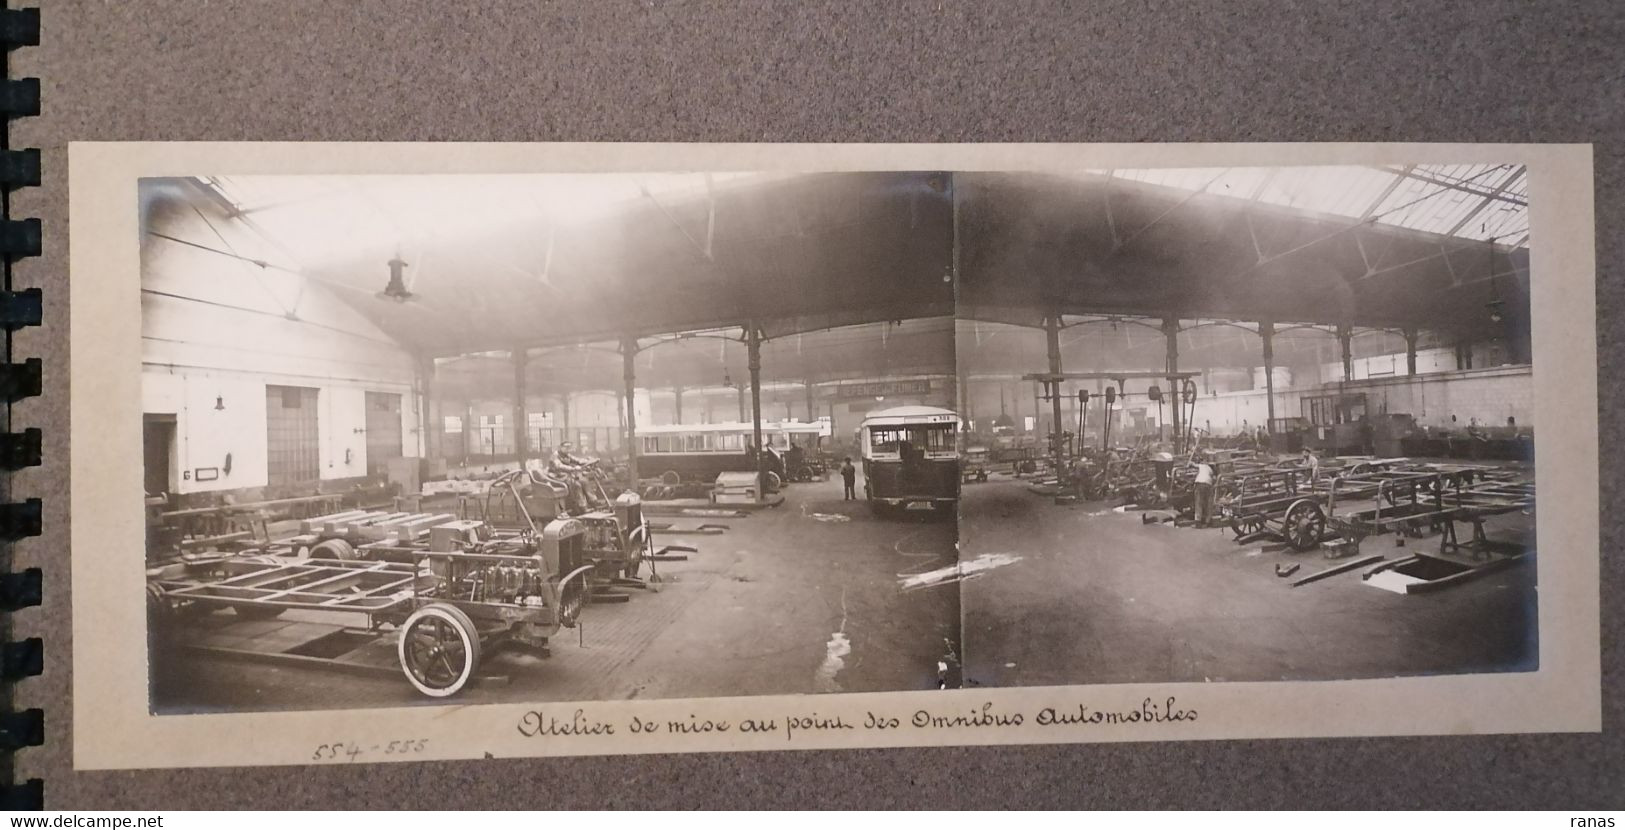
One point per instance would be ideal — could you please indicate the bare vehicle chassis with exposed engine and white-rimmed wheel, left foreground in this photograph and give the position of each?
(464, 595)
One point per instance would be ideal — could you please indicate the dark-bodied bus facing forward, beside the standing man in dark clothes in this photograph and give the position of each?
(911, 457)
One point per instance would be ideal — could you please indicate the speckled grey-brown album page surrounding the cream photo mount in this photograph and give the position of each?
(677, 71)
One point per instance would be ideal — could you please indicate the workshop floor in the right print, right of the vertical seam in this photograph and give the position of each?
(1085, 595)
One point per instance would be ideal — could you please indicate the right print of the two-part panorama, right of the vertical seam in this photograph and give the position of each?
(1247, 425)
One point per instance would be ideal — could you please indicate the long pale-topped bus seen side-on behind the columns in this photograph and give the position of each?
(700, 452)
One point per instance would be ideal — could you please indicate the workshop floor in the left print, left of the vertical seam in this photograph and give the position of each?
(768, 608)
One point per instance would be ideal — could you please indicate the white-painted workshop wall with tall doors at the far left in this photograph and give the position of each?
(215, 327)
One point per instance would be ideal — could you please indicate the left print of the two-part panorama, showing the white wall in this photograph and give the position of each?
(548, 438)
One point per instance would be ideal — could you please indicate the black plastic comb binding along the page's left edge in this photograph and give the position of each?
(19, 309)
